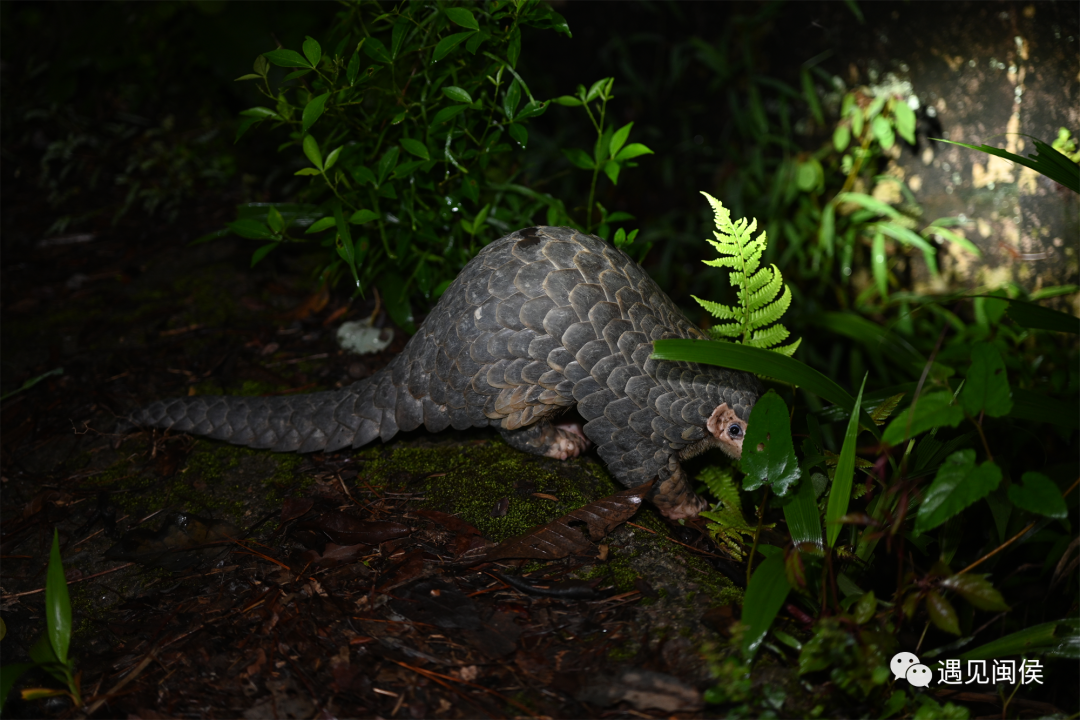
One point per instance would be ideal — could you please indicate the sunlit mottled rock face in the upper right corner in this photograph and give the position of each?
(989, 73)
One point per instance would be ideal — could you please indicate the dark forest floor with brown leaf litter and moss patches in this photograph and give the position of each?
(213, 581)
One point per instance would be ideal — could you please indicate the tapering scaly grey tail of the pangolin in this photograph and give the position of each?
(353, 416)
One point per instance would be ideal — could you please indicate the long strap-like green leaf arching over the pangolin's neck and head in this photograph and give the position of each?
(761, 362)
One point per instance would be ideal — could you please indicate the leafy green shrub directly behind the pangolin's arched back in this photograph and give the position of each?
(413, 121)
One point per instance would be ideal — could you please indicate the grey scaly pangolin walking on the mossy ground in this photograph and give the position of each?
(541, 321)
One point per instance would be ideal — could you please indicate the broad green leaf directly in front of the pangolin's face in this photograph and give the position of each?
(768, 454)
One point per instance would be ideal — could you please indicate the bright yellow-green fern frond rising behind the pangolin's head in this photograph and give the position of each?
(755, 320)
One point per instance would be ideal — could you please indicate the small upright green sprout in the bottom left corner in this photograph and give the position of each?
(50, 653)
